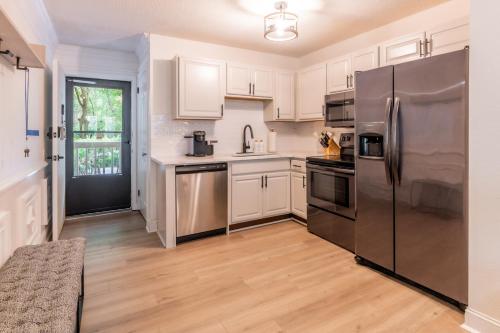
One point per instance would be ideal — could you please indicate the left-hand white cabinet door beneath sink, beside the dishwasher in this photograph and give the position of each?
(246, 198)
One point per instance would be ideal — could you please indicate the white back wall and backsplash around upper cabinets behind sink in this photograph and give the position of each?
(167, 133)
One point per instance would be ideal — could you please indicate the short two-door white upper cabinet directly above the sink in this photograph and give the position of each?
(245, 80)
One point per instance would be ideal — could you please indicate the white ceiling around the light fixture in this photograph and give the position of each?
(116, 24)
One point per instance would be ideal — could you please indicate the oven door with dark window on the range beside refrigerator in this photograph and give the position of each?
(331, 189)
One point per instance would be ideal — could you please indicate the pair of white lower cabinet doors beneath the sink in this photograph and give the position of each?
(259, 195)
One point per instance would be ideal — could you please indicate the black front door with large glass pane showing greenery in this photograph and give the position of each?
(98, 145)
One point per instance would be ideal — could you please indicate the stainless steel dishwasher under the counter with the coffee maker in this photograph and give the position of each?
(201, 192)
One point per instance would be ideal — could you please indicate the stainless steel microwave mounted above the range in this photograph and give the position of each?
(339, 110)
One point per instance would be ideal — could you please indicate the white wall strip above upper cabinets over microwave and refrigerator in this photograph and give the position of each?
(443, 13)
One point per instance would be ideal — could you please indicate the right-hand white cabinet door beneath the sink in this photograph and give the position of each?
(276, 194)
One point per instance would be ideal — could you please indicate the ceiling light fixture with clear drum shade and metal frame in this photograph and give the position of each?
(280, 26)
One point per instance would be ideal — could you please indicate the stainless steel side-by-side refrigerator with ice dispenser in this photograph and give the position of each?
(411, 167)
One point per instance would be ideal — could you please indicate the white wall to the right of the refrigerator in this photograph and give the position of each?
(483, 313)
